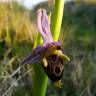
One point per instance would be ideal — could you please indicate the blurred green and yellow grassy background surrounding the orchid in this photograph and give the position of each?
(18, 32)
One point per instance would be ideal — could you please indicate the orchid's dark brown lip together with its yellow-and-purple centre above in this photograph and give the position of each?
(53, 63)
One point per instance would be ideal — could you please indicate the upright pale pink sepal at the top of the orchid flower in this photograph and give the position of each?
(44, 26)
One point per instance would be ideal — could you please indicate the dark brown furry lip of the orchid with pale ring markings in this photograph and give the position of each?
(55, 67)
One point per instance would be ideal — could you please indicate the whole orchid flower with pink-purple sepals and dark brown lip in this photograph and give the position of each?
(49, 54)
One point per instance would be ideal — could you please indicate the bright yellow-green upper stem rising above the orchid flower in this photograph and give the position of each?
(57, 19)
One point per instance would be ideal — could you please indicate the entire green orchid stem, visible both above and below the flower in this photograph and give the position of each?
(40, 79)
